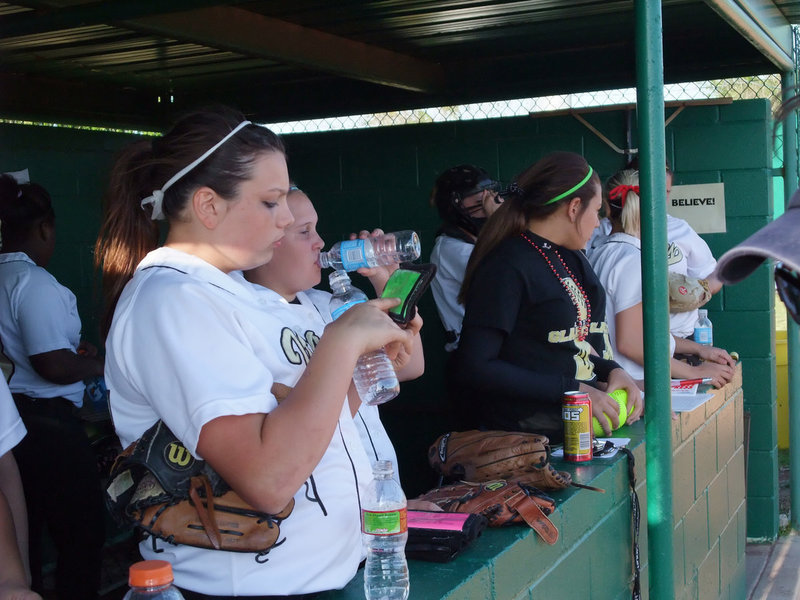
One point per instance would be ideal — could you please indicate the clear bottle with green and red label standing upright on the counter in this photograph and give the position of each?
(385, 526)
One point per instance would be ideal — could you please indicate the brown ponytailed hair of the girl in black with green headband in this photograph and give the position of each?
(527, 199)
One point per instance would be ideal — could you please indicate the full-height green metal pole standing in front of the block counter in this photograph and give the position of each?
(658, 408)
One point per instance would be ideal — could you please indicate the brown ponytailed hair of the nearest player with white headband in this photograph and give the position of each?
(128, 233)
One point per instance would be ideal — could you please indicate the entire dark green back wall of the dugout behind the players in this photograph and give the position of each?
(382, 178)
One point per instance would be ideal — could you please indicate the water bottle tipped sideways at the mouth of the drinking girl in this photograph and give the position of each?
(386, 249)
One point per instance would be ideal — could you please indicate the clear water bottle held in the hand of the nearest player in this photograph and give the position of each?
(374, 376)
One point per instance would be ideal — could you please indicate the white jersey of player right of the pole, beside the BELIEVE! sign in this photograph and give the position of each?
(688, 255)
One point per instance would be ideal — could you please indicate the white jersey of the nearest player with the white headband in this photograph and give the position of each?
(190, 343)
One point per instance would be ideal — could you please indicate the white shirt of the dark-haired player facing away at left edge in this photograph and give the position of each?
(37, 315)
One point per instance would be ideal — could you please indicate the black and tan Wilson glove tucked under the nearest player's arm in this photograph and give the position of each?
(162, 489)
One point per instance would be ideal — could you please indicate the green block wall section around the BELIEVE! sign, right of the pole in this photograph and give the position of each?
(732, 144)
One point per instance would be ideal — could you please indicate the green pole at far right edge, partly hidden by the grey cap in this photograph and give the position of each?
(792, 330)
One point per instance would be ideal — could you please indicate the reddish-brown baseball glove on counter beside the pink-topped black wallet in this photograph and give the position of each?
(502, 502)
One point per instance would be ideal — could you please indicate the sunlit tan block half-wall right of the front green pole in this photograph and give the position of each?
(709, 503)
